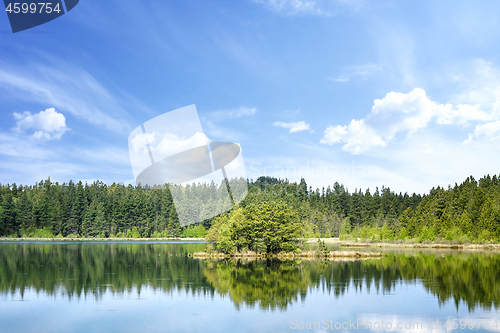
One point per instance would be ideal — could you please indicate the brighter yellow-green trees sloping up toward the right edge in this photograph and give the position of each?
(469, 212)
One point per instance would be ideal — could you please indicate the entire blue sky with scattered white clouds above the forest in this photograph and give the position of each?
(398, 93)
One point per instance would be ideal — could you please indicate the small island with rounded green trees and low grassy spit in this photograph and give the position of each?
(265, 230)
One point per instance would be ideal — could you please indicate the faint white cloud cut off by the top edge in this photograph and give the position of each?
(311, 7)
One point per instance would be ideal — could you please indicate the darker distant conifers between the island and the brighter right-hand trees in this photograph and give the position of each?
(323, 210)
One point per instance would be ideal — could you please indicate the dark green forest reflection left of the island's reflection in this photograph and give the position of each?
(93, 268)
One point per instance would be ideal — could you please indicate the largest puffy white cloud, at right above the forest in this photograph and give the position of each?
(399, 112)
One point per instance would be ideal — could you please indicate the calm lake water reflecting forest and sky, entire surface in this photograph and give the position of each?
(155, 287)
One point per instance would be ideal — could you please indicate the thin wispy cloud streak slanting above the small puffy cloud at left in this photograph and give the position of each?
(68, 89)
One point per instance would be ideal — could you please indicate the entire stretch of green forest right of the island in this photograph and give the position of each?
(469, 212)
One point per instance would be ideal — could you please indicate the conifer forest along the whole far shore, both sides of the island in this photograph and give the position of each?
(466, 212)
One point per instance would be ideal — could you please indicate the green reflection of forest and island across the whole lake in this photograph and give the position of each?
(83, 269)
